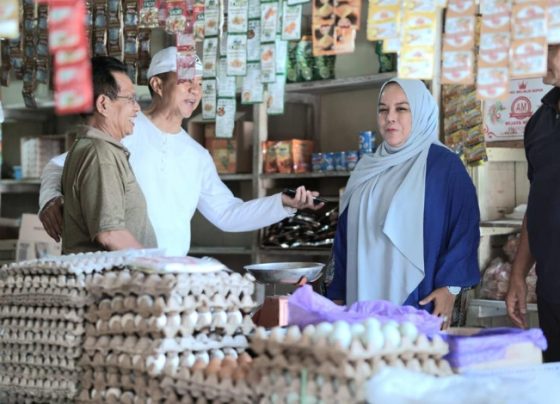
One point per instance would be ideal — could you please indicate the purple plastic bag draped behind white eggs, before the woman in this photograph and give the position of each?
(307, 307)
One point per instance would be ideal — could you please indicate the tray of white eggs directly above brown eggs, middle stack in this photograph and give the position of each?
(147, 346)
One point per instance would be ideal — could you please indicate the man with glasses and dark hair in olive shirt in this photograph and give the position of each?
(104, 206)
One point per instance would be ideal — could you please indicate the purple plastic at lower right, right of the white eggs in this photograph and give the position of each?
(488, 345)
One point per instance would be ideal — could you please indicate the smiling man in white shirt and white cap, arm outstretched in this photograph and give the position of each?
(177, 175)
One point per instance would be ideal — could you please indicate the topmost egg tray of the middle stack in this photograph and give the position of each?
(126, 281)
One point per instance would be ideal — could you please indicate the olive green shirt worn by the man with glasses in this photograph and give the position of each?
(101, 194)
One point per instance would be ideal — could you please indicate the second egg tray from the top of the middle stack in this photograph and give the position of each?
(148, 306)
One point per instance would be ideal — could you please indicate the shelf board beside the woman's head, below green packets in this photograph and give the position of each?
(339, 85)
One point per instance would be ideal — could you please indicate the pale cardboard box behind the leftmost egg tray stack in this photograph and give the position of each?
(33, 241)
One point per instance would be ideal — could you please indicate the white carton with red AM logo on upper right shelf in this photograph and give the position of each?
(506, 120)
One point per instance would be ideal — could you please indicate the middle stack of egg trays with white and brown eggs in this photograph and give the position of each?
(170, 337)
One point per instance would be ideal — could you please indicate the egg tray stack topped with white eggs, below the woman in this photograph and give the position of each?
(330, 362)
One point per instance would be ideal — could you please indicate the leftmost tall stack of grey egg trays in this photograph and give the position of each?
(42, 324)
